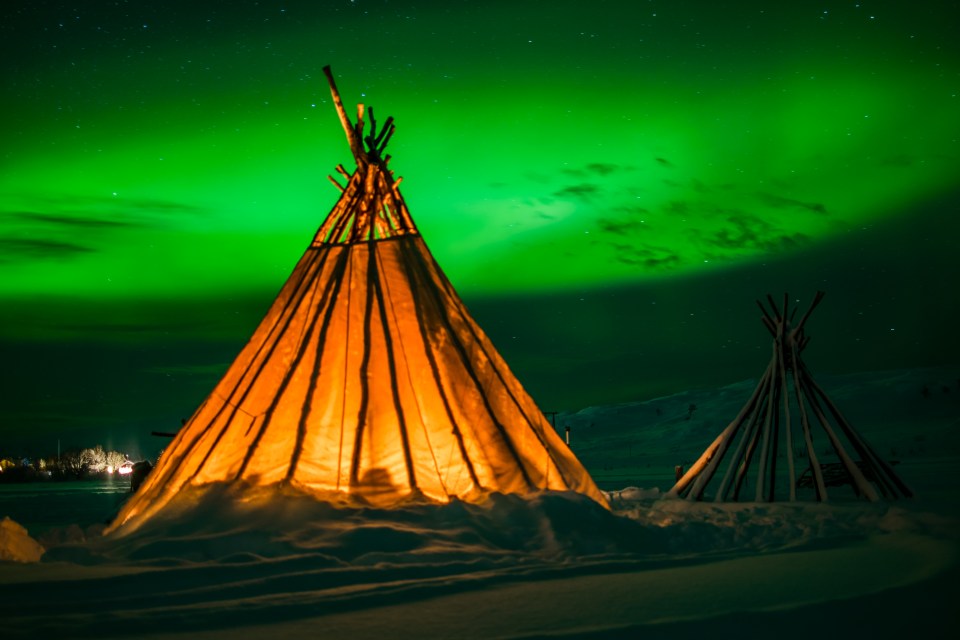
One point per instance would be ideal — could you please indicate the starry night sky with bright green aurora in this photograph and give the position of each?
(609, 185)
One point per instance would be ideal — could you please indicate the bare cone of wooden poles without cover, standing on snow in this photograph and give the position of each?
(764, 425)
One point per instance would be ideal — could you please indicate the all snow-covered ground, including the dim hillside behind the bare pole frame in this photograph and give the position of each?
(555, 565)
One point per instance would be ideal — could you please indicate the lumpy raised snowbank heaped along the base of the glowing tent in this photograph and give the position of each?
(235, 525)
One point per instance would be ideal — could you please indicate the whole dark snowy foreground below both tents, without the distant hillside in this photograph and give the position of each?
(277, 563)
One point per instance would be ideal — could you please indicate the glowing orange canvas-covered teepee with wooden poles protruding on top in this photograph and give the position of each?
(367, 381)
